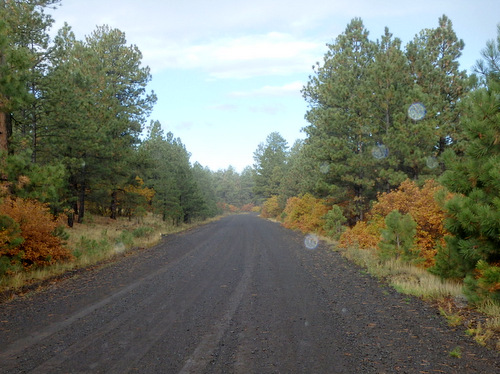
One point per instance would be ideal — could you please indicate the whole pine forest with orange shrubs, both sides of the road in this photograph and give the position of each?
(401, 155)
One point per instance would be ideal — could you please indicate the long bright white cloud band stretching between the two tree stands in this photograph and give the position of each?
(240, 57)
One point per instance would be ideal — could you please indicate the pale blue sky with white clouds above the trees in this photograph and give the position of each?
(227, 73)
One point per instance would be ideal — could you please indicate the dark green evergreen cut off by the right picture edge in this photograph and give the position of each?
(474, 212)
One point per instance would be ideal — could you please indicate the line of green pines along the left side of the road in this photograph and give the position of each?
(73, 127)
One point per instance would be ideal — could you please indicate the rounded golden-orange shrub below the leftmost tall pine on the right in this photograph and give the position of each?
(305, 213)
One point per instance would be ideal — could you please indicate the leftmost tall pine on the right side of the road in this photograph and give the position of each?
(340, 130)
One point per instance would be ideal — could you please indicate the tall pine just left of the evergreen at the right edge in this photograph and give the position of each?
(440, 85)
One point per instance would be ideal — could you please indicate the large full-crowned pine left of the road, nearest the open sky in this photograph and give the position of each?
(97, 102)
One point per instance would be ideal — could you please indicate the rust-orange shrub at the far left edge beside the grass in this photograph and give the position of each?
(40, 246)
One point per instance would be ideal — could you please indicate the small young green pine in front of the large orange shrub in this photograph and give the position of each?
(398, 239)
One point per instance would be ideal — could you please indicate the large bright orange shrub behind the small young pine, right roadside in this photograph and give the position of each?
(421, 204)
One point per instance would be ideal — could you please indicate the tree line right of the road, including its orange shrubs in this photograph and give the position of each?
(388, 128)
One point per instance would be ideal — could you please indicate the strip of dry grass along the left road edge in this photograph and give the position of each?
(96, 240)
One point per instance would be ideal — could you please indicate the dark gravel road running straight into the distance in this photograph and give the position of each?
(241, 295)
